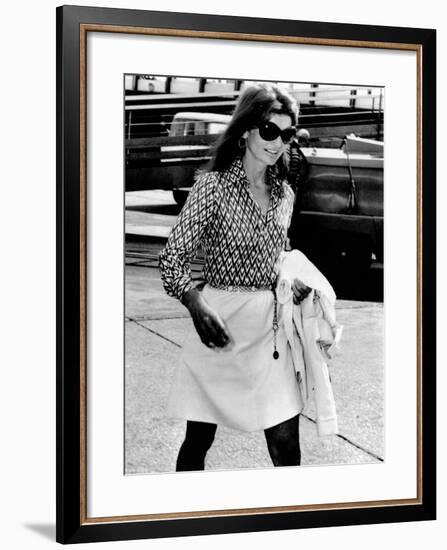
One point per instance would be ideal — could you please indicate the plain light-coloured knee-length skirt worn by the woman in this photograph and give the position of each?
(241, 387)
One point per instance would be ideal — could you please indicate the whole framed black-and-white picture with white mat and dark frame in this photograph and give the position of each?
(197, 157)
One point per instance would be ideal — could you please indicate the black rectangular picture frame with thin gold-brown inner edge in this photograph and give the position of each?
(73, 23)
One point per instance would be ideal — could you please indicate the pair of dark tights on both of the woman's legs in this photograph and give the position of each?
(282, 442)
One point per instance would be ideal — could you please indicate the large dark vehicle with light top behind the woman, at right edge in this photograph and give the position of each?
(339, 204)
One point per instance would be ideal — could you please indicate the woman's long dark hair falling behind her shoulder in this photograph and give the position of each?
(256, 104)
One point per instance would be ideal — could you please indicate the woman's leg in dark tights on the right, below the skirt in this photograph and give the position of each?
(283, 442)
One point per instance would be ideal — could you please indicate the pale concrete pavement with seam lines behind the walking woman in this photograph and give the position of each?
(156, 327)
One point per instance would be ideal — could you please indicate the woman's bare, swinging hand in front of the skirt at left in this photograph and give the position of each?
(210, 327)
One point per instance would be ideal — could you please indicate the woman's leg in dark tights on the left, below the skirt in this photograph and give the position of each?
(198, 439)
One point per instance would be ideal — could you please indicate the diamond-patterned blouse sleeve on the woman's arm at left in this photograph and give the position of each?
(189, 229)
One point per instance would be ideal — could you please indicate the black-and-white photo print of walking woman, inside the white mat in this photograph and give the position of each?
(224, 178)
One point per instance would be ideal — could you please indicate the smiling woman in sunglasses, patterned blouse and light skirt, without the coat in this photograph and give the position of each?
(235, 369)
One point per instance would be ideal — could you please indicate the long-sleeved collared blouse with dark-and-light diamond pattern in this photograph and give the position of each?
(241, 244)
